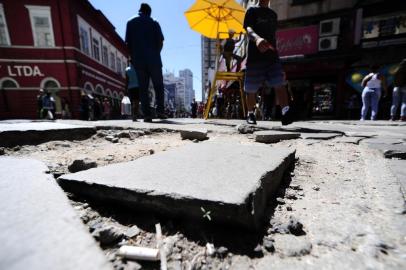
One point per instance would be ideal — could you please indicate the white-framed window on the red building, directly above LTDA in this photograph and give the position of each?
(41, 25)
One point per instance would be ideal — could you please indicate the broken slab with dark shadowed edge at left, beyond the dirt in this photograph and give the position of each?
(31, 133)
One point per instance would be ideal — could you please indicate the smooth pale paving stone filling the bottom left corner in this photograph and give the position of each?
(39, 228)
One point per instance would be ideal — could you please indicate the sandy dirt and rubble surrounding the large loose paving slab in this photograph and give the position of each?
(339, 207)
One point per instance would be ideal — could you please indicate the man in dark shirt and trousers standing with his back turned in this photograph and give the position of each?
(144, 39)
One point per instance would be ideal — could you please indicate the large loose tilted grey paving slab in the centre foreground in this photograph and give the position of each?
(231, 182)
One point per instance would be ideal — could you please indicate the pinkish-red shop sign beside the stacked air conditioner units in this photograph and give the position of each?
(298, 41)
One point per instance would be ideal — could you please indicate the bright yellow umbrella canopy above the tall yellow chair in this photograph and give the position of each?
(214, 18)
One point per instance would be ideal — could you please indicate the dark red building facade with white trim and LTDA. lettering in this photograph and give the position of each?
(66, 47)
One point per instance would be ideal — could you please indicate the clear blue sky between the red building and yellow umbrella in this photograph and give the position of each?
(182, 45)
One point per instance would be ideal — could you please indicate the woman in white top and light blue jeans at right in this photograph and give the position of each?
(373, 84)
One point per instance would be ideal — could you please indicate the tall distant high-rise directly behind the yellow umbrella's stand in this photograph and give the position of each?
(208, 61)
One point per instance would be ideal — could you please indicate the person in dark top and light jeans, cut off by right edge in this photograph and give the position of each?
(399, 92)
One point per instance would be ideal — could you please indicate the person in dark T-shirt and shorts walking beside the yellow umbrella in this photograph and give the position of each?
(263, 63)
